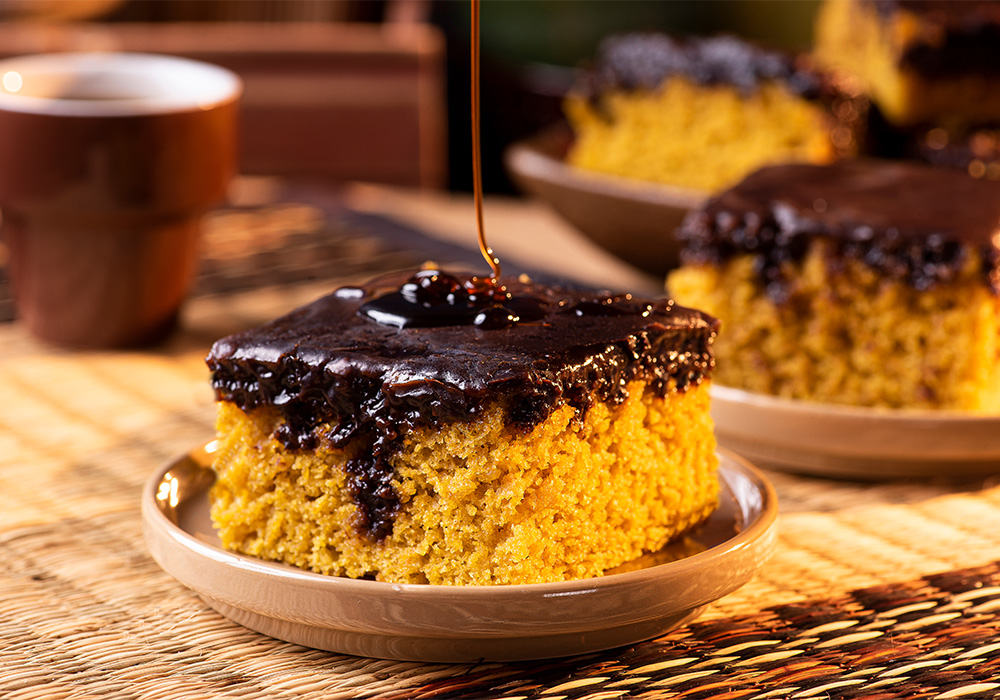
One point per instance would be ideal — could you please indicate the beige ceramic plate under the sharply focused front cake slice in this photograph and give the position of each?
(456, 623)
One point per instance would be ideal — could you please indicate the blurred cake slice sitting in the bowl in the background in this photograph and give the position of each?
(703, 113)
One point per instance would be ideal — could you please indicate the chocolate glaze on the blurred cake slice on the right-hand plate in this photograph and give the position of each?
(909, 221)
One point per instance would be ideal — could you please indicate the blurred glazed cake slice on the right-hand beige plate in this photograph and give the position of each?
(870, 283)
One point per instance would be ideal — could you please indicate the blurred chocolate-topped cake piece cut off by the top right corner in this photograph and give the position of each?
(935, 61)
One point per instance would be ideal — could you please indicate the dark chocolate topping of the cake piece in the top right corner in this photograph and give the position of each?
(962, 36)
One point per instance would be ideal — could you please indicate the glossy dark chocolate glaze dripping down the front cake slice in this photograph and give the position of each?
(340, 378)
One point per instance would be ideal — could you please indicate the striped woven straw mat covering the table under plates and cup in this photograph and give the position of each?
(877, 590)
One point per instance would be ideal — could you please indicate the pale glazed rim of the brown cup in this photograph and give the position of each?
(206, 85)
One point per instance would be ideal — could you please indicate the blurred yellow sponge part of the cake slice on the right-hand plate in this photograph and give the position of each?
(845, 334)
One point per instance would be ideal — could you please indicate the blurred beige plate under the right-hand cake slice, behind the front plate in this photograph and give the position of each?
(854, 442)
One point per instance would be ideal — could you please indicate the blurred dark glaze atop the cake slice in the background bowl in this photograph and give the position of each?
(643, 61)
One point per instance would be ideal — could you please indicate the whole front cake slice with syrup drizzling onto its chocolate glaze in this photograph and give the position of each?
(542, 436)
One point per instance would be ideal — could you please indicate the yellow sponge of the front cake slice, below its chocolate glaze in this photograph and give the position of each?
(480, 502)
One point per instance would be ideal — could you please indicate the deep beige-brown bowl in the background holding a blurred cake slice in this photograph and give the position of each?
(635, 220)
